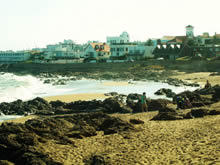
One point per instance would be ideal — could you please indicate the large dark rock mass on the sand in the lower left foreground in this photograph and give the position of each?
(21, 143)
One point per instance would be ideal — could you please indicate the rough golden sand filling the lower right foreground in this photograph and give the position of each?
(193, 141)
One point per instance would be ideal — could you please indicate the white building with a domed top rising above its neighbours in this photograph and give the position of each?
(123, 38)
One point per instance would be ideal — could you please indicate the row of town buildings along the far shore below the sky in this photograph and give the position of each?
(121, 49)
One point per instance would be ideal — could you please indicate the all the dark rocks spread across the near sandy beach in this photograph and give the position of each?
(63, 122)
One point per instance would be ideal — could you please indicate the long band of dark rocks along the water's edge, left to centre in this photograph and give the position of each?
(116, 104)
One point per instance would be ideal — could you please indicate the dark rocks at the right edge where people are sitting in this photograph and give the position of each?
(197, 100)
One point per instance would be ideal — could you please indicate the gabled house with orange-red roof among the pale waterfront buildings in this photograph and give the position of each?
(97, 51)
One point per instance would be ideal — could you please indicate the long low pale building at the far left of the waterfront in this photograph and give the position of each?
(10, 56)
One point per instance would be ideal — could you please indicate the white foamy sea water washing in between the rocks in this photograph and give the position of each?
(26, 87)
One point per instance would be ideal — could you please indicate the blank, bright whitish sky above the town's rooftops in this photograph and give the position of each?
(27, 24)
